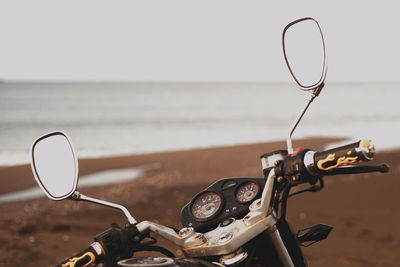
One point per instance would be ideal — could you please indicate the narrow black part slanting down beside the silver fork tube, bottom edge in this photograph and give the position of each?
(291, 243)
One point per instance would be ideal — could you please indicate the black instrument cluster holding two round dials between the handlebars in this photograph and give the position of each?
(226, 198)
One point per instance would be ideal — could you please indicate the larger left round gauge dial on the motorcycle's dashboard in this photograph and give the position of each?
(206, 206)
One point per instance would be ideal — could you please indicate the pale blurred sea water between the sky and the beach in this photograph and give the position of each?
(105, 119)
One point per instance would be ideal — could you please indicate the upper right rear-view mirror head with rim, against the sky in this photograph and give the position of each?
(304, 51)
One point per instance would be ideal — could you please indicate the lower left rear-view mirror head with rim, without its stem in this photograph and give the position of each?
(54, 165)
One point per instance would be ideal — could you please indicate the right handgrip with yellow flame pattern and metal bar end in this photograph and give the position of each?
(362, 150)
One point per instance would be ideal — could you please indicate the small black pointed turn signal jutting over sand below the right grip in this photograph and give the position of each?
(313, 234)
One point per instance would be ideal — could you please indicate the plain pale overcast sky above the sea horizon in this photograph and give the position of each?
(190, 40)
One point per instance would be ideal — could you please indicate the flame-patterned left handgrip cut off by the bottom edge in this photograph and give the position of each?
(85, 258)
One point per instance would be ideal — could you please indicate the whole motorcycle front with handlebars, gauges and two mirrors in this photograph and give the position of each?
(239, 221)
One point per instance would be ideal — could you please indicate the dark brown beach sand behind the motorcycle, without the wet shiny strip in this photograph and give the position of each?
(364, 209)
